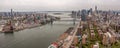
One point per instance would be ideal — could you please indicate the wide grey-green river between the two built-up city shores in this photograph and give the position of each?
(39, 37)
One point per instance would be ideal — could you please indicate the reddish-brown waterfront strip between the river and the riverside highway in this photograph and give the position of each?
(65, 37)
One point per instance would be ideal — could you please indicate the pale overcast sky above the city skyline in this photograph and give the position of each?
(43, 5)
